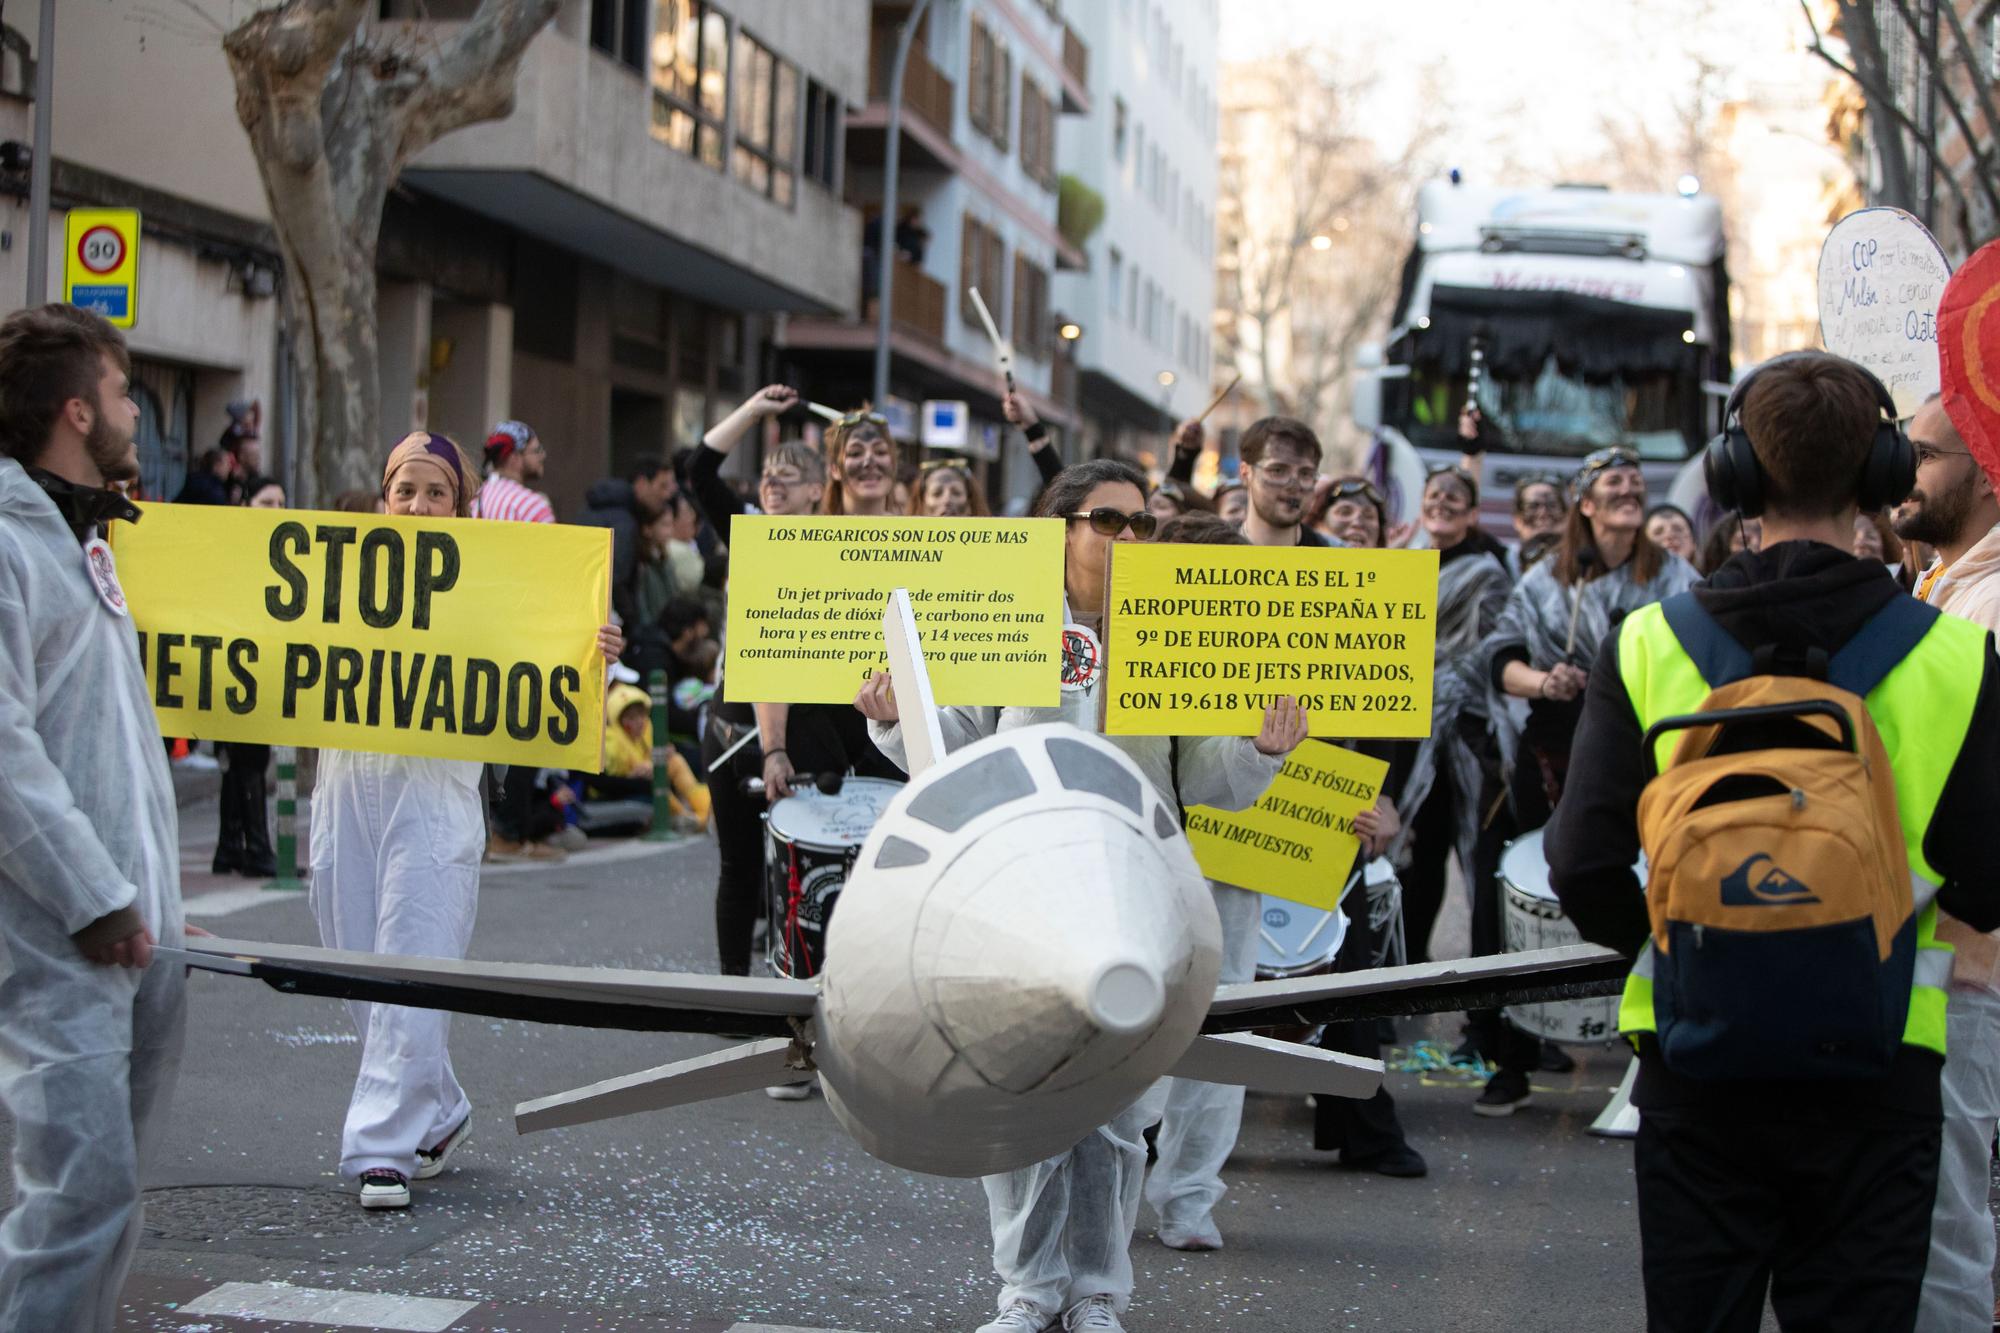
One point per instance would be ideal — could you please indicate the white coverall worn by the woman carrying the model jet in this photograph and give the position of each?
(1063, 1228)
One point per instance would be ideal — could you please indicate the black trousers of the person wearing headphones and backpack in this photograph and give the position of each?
(1829, 1214)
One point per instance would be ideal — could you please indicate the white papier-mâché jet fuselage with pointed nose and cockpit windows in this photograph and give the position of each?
(1023, 948)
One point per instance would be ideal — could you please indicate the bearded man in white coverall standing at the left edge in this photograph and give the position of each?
(89, 838)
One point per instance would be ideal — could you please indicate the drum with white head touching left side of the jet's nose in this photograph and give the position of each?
(811, 842)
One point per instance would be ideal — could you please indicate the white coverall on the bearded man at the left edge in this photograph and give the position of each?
(89, 1054)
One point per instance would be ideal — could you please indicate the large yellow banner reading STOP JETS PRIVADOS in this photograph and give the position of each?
(445, 637)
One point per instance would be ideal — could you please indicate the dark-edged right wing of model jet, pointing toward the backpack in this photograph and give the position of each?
(1573, 972)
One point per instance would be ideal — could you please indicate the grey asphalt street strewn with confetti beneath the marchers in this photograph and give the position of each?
(753, 1212)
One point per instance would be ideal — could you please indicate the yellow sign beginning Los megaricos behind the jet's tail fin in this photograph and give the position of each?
(807, 607)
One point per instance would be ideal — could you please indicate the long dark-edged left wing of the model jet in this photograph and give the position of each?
(613, 998)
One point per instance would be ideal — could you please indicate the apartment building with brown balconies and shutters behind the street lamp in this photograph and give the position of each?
(989, 93)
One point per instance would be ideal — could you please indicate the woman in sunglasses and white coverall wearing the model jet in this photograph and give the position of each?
(1063, 1228)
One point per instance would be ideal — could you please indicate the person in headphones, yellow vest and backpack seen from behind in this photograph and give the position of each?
(1771, 1172)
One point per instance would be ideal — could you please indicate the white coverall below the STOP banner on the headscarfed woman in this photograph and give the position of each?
(397, 850)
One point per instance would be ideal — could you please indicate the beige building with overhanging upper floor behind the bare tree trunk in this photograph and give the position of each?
(605, 263)
